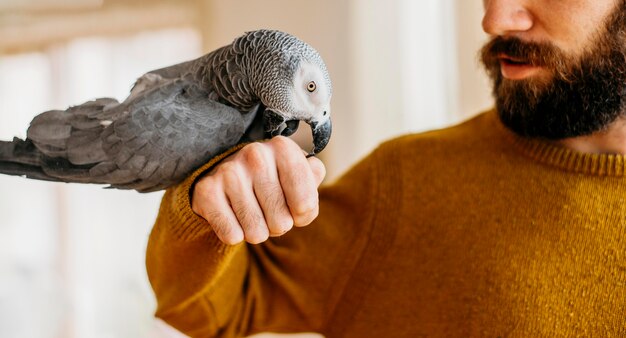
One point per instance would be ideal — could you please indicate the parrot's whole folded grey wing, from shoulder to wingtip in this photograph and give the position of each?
(155, 140)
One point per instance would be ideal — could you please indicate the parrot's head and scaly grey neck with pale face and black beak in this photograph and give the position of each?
(293, 85)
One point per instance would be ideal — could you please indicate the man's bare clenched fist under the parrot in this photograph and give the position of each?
(262, 190)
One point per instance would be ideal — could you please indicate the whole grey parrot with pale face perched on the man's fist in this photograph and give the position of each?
(177, 118)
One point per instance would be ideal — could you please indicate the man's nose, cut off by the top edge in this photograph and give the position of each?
(506, 17)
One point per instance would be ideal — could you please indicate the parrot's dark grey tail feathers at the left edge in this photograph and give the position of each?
(21, 158)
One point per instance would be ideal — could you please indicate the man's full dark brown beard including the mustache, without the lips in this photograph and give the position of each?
(583, 95)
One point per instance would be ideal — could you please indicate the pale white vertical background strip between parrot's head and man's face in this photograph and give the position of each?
(403, 70)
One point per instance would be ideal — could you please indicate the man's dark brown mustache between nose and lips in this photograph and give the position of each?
(535, 53)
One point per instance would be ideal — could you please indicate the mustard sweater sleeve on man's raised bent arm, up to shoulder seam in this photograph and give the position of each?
(291, 283)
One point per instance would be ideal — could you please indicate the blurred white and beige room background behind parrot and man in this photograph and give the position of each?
(72, 256)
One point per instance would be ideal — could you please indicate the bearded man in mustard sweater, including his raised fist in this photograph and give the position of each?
(512, 223)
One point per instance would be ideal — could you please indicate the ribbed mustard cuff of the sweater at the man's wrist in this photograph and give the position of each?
(184, 223)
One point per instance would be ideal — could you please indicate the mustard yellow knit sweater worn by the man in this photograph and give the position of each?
(469, 231)
